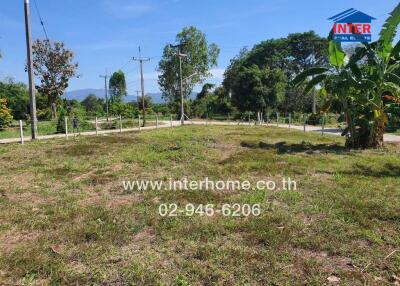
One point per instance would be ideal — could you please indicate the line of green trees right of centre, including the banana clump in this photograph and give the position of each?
(302, 72)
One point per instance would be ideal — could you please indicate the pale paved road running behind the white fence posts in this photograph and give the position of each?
(168, 124)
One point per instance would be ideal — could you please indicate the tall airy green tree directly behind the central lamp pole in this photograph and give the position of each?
(201, 57)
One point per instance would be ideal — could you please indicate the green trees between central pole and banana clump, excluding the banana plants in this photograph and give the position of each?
(256, 80)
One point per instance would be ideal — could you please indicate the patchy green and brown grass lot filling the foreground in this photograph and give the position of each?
(65, 218)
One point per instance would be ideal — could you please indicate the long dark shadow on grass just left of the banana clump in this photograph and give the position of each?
(303, 147)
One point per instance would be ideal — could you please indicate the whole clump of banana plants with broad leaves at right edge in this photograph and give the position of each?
(364, 88)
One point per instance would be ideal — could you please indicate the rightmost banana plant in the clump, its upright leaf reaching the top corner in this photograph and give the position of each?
(378, 78)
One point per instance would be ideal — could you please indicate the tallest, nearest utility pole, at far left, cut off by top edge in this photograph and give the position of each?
(30, 71)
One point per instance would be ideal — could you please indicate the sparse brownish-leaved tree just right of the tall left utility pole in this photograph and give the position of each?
(53, 64)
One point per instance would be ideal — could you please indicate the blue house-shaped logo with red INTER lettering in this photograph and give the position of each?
(352, 26)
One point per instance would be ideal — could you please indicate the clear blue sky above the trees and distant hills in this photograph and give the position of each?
(106, 33)
